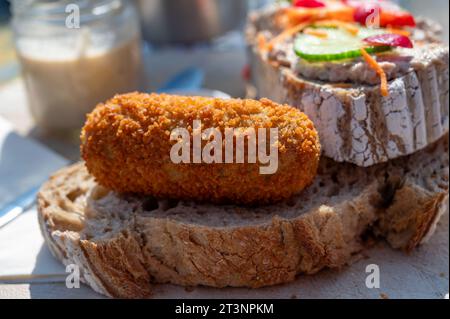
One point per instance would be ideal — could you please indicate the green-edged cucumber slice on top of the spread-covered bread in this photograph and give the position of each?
(338, 45)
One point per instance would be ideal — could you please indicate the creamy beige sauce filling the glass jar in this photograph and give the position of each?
(63, 87)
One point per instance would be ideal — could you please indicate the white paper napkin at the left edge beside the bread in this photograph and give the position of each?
(24, 164)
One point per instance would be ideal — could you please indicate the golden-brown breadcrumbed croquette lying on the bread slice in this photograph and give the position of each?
(126, 146)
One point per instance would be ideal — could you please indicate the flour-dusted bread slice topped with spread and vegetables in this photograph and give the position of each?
(357, 124)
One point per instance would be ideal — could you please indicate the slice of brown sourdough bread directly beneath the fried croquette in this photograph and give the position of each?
(123, 243)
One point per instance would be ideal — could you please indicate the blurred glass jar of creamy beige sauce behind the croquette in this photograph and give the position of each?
(74, 55)
